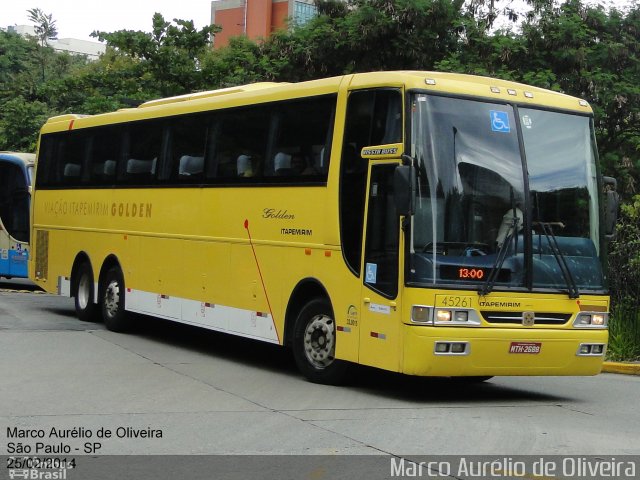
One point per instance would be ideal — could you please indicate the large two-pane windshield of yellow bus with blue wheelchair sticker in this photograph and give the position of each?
(482, 219)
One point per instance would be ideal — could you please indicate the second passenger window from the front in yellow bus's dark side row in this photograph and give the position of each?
(241, 143)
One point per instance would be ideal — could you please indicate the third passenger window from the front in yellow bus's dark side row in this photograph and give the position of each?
(187, 144)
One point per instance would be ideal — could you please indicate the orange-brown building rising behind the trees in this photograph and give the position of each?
(257, 18)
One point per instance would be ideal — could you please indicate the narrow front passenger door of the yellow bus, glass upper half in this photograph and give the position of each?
(380, 343)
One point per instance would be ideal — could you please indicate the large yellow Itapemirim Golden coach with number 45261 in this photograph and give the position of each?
(425, 223)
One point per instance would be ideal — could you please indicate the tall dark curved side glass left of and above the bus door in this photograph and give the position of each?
(374, 117)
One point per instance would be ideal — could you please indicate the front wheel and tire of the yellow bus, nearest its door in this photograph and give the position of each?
(314, 344)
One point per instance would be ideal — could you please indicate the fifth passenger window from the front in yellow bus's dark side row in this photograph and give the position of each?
(106, 150)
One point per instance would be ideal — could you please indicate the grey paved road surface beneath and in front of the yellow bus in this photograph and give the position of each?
(199, 392)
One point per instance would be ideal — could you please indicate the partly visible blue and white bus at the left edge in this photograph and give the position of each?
(16, 174)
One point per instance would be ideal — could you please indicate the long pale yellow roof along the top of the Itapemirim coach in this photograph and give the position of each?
(437, 82)
